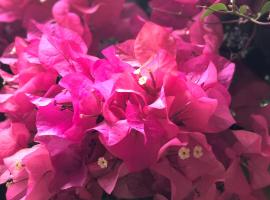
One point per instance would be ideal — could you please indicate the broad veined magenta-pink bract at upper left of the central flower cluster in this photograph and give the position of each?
(59, 47)
